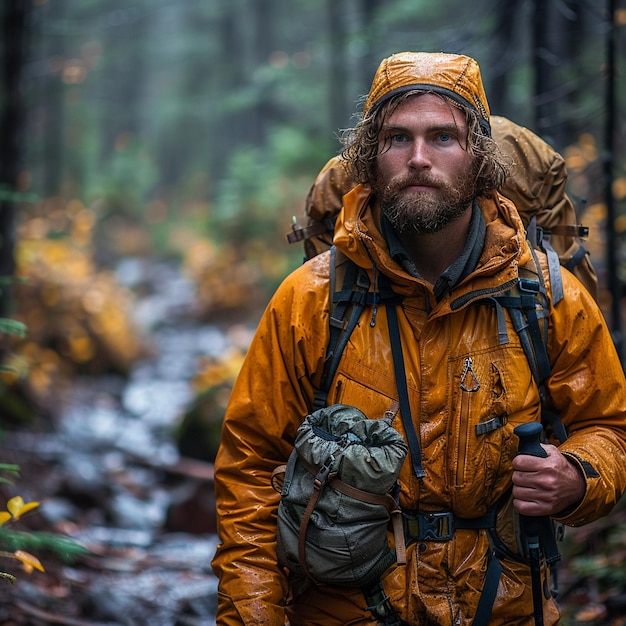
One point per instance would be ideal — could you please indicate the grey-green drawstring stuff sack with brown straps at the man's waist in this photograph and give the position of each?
(336, 501)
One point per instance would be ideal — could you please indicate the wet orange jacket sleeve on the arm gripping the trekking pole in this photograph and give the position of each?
(588, 389)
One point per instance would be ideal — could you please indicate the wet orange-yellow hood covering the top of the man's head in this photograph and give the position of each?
(454, 75)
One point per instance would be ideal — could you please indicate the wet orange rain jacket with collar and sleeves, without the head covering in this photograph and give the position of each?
(466, 473)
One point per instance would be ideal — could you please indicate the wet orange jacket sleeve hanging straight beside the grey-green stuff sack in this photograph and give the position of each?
(270, 398)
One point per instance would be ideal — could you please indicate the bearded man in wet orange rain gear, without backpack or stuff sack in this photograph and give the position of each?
(426, 217)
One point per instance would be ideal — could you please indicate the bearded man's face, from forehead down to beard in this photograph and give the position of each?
(425, 175)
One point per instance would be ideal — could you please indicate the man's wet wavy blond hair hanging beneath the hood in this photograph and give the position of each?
(361, 145)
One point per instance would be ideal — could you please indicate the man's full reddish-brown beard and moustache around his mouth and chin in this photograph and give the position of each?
(429, 211)
